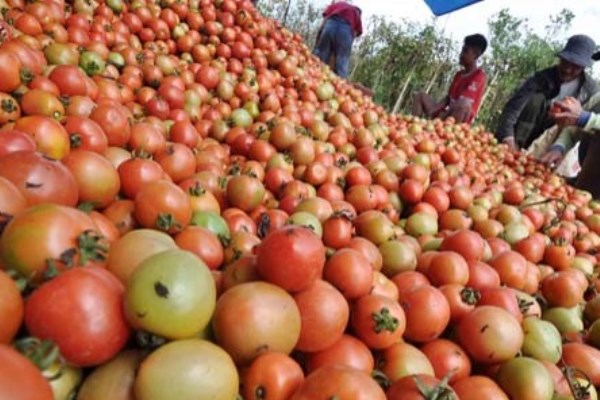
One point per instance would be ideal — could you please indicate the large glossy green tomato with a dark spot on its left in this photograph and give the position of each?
(171, 294)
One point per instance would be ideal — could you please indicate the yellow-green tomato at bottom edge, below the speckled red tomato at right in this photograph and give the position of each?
(525, 378)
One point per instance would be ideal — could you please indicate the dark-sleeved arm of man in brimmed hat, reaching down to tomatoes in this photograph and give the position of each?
(513, 108)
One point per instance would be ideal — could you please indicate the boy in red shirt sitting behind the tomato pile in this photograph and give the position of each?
(466, 91)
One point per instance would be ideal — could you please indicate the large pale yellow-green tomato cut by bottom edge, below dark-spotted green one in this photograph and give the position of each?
(194, 368)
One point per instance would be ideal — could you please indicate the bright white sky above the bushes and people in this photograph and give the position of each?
(473, 19)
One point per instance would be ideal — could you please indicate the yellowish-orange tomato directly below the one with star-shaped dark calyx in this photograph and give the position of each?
(403, 359)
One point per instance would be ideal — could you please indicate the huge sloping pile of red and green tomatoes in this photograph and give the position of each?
(192, 206)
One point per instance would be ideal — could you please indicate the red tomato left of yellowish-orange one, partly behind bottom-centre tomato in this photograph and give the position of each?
(347, 351)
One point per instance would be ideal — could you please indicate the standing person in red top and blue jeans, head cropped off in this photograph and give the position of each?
(341, 25)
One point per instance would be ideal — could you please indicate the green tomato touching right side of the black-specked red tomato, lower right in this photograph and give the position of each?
(542, 340)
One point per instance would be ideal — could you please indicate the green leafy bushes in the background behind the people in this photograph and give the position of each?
(396, 58)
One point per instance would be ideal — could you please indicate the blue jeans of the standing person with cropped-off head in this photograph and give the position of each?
(336, 39)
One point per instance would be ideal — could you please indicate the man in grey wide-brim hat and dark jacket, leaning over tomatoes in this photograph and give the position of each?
(525, 116)
